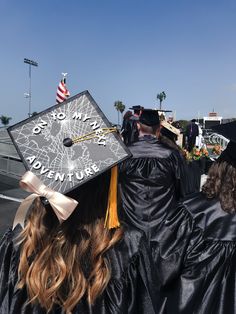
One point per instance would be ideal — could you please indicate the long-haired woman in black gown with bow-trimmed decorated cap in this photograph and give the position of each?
(71, 253)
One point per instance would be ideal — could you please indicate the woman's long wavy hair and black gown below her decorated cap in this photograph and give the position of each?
(78, 266)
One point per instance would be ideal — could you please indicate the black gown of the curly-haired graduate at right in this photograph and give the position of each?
(196, 259)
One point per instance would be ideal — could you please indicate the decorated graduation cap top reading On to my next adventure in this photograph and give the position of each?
(68, 144)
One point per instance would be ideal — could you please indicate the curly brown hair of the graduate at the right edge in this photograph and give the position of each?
(221, 183)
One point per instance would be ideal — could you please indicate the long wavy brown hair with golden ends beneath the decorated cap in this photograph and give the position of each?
(62, 263)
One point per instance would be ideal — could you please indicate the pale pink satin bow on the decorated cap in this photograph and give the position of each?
(62, 205)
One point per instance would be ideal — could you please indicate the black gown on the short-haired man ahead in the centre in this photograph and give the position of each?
(151, 183)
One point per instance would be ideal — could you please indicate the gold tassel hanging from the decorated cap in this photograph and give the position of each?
(112, 220)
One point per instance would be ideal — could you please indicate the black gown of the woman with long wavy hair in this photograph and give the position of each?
(132, 288)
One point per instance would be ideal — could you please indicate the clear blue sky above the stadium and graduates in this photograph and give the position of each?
(126, 50)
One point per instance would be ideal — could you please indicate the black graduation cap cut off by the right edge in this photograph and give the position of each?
(228, 130)
